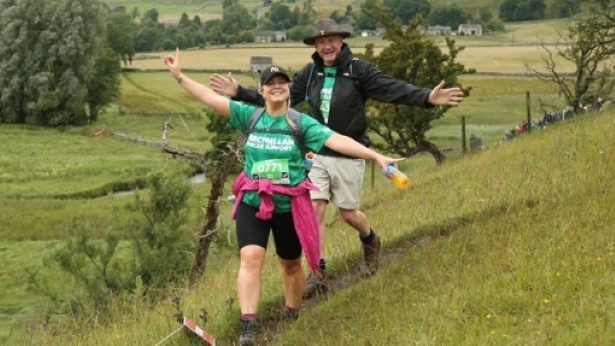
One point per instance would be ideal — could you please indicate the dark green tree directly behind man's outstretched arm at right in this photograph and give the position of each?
(414, 57)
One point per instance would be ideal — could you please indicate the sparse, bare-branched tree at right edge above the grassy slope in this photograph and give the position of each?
(589, 45)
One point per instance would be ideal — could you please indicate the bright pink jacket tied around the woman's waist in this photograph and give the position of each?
(304, 216)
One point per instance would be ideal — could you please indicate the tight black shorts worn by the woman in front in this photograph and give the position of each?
(254, 231)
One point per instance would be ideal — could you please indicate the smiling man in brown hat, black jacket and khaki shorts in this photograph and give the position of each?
(336, 86)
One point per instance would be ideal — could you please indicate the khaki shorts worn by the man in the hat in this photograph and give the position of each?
(339, 179)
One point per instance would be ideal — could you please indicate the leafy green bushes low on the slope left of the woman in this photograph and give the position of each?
(160, 245)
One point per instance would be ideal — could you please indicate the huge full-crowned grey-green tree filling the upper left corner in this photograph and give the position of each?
(47, 66)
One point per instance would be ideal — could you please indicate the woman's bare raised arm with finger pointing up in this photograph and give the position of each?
(195, 89)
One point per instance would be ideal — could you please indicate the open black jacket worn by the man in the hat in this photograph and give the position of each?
(356, 81)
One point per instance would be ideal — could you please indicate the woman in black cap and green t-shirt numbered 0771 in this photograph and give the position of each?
(272, 191)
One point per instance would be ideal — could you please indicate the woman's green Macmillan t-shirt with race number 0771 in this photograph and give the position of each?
(275, 155)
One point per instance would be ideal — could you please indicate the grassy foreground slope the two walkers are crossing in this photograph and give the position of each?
(510, 246)
